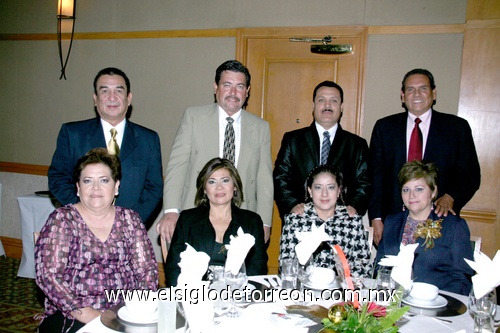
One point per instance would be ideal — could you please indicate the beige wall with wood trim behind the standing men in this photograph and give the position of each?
(169, 74)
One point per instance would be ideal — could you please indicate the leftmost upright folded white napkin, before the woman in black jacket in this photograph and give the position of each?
(193, 265)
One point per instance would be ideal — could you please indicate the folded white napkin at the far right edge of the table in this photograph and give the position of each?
(488, 273)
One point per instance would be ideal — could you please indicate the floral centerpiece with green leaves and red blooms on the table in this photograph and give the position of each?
(368, 317)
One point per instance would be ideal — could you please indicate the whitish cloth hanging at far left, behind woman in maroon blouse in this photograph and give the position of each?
(34, 211)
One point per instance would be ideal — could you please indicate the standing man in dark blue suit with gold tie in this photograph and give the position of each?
(141, 186)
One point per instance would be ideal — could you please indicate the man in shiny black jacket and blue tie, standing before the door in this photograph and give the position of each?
(324, 142)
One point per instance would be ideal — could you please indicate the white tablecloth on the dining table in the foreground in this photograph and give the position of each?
(258, 318)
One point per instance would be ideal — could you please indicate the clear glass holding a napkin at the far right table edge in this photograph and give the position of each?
(483, 310)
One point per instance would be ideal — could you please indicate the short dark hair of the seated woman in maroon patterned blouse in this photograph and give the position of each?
(98, 156)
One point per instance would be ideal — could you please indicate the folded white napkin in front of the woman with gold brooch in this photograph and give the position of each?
(402, 264)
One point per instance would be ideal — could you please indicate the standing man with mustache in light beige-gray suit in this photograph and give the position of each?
(200, 137)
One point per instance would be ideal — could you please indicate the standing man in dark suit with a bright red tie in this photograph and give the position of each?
(447, 142)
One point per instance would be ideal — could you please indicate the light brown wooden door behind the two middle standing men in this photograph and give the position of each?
(284, 75)
